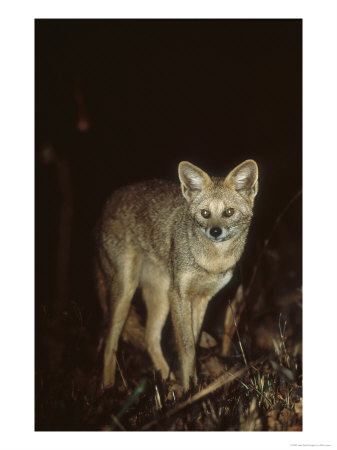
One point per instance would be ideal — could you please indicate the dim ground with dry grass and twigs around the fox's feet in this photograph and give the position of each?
(264, 395)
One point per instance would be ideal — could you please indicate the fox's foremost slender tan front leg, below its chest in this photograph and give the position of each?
(181, 311)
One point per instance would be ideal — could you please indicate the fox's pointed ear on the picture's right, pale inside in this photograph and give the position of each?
(244, 179)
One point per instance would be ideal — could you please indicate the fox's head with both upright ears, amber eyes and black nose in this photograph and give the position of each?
(221, 207)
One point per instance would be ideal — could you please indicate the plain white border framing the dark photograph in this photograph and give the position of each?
(17, 221)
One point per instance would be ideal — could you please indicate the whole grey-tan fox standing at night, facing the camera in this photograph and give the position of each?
(179, 244)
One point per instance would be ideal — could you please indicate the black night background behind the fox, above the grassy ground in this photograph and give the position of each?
(119, 101)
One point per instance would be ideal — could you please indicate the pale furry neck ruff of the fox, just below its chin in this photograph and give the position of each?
(216, 257)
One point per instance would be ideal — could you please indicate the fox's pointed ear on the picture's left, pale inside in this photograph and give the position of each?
(193, 180)
